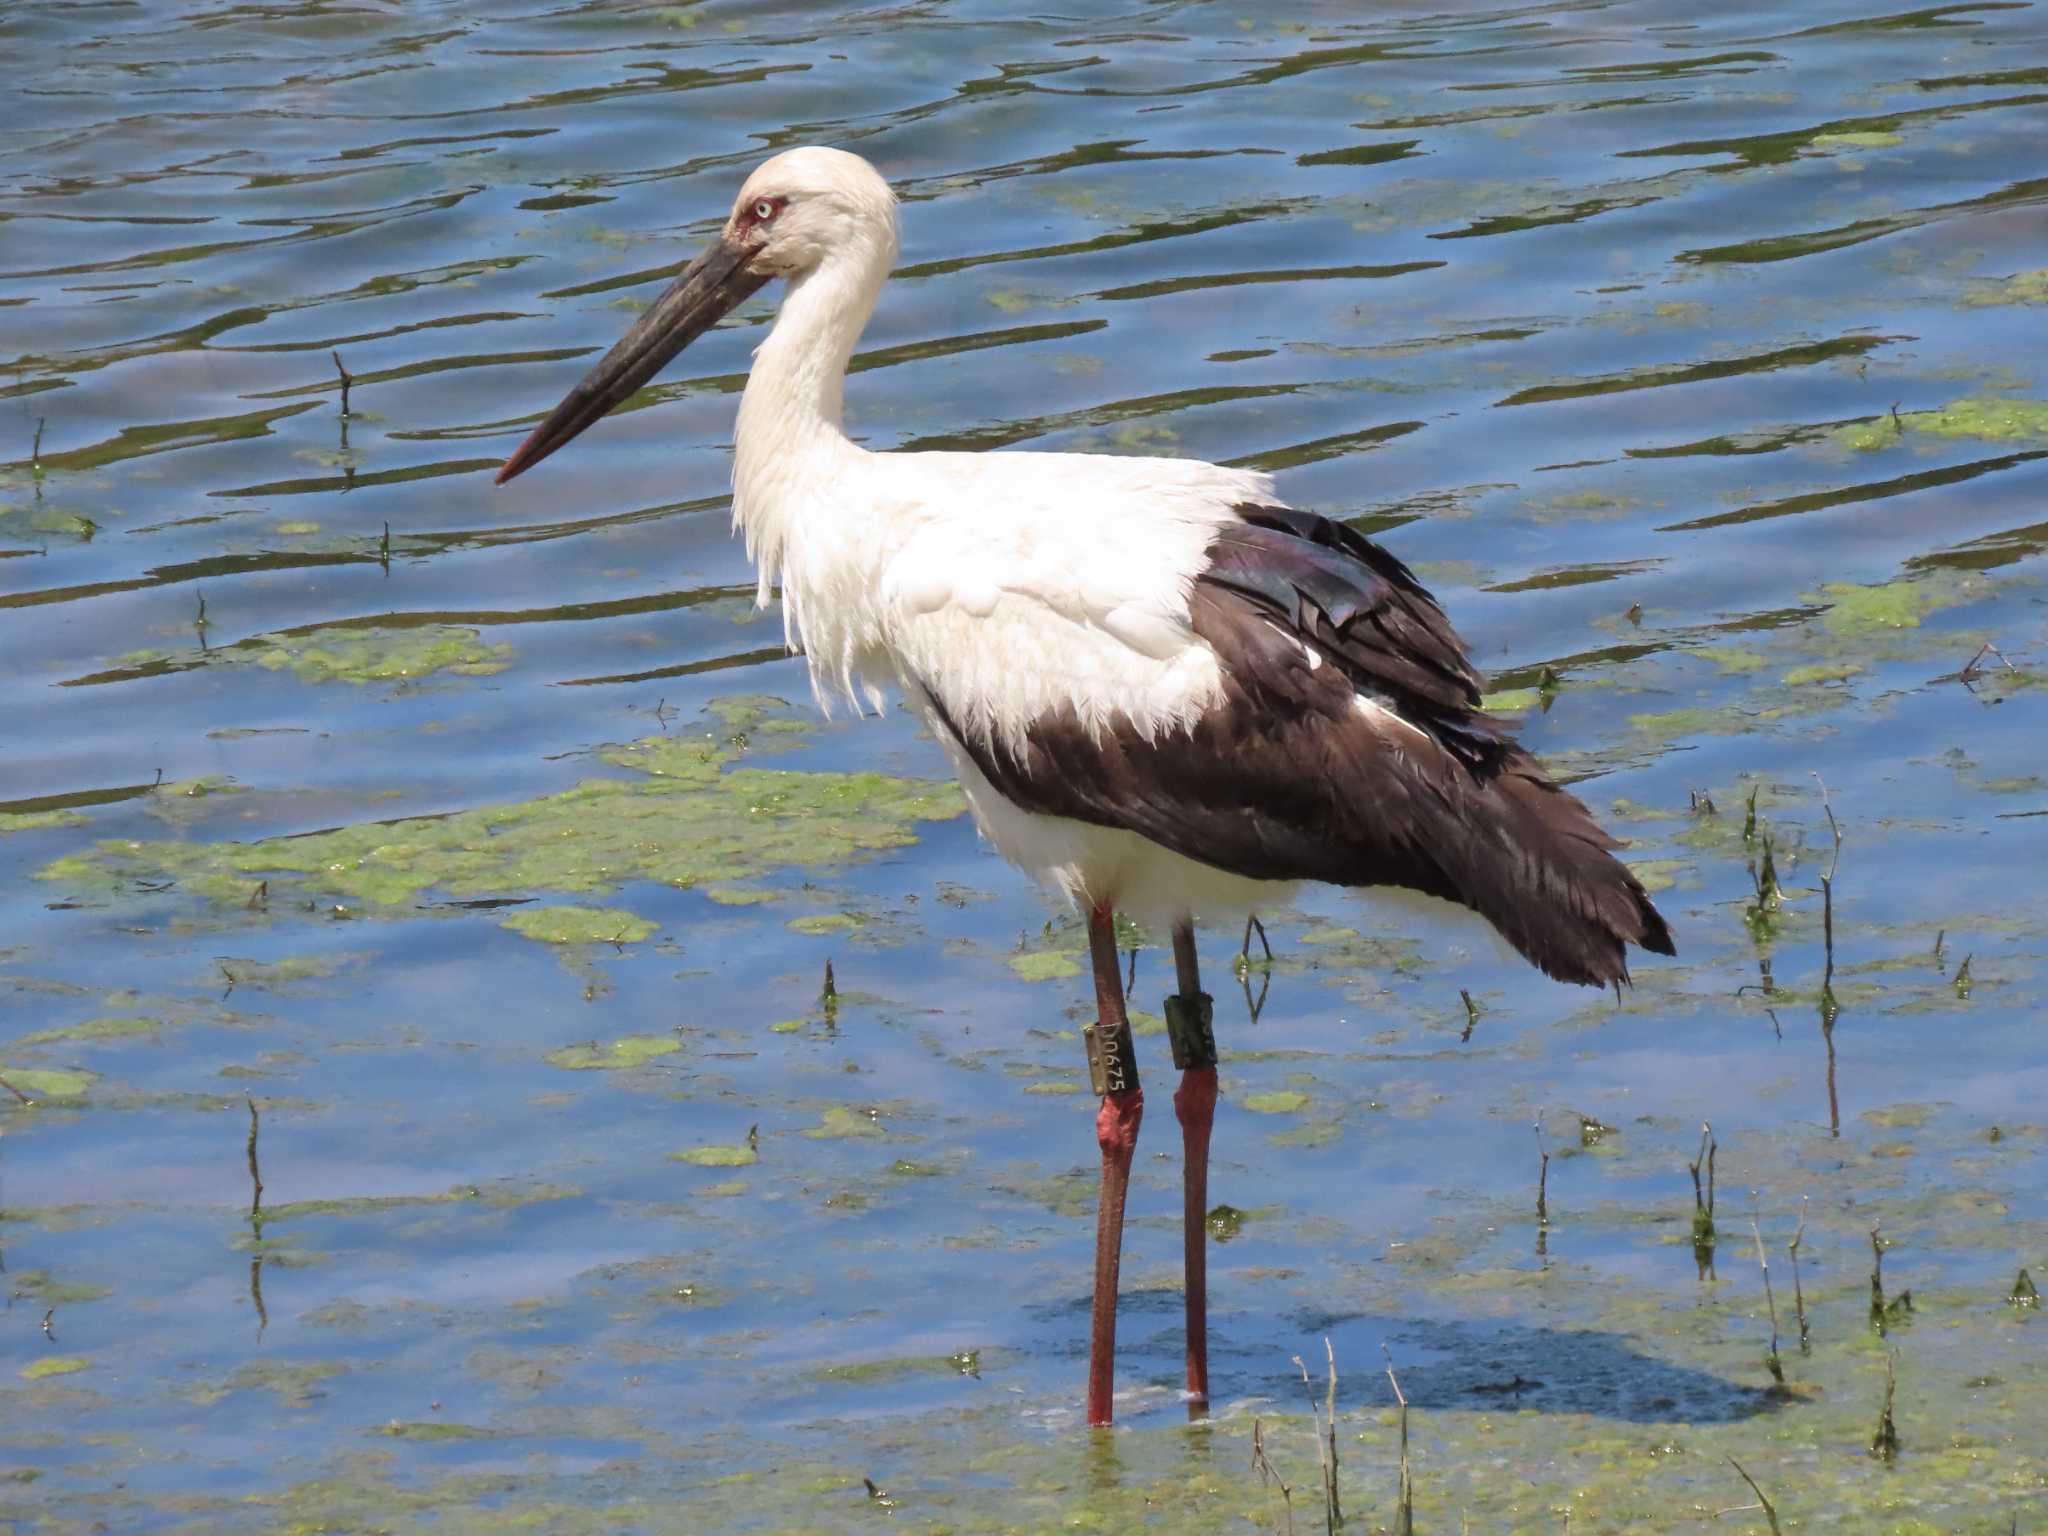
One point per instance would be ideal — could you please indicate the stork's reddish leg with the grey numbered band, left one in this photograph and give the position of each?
(1115, 1072)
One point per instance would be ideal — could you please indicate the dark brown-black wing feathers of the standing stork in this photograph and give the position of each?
(1287, 779)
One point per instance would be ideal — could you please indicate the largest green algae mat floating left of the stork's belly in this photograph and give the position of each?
(689, 818)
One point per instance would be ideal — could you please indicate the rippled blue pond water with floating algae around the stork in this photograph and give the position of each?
(482, 853)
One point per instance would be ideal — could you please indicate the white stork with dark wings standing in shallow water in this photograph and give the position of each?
(1164, 691)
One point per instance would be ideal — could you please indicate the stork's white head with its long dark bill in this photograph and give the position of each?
(794, 216)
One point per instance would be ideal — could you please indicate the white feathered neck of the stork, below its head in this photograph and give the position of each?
(790, 435)
